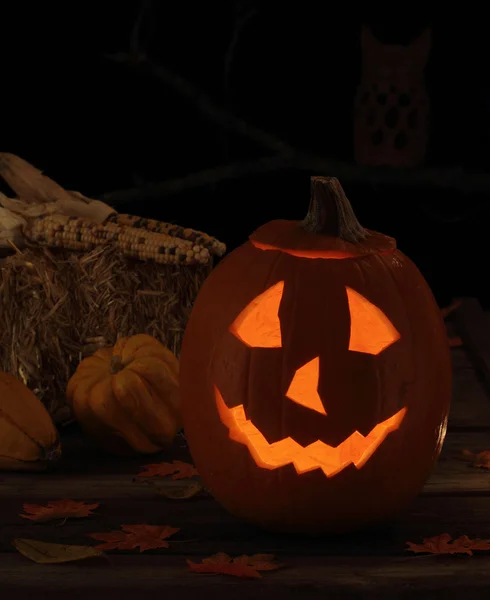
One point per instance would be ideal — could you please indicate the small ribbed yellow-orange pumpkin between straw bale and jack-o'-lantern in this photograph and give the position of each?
(127, 397)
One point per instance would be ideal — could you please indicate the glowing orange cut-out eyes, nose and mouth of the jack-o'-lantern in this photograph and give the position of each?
(258, 326)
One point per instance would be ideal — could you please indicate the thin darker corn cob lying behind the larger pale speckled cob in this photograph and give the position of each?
(197, 237)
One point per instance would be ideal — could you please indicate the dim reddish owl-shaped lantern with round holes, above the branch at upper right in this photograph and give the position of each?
(391, 112)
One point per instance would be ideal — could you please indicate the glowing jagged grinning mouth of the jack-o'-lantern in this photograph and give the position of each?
(356, 449)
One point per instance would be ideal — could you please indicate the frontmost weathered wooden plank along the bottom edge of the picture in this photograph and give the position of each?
(308, 578)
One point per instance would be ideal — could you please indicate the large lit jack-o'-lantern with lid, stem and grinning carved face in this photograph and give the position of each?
(315, 374)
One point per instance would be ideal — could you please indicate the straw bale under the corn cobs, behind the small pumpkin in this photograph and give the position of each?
(58, 306)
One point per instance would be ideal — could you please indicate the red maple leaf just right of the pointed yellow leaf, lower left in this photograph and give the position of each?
(147, 537)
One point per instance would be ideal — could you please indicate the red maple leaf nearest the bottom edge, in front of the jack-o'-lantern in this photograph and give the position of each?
(241, 566)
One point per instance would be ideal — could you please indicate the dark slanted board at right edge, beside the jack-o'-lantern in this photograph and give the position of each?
(474, 329)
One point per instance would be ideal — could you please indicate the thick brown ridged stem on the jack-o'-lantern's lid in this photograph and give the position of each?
(330, 212)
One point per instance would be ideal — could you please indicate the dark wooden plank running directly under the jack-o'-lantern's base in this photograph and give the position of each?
(206, 528)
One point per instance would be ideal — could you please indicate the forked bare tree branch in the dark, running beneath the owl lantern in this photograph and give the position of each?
(286, 157)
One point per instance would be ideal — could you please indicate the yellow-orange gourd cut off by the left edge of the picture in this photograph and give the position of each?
(28, 438)
